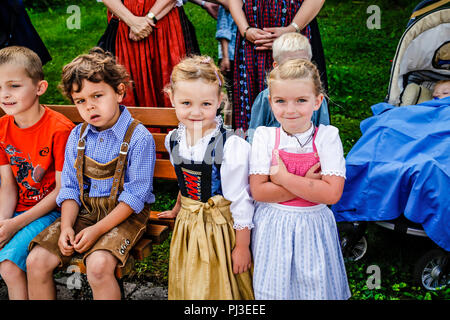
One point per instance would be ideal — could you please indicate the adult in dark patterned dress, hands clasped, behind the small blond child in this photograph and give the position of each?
(259, 23)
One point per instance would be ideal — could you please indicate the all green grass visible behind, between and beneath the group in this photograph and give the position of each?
(358, 67)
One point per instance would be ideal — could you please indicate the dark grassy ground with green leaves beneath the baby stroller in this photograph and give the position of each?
(396, 256)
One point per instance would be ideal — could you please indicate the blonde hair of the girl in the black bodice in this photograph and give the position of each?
(195, 67)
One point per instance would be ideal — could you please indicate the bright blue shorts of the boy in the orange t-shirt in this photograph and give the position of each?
(16, 250)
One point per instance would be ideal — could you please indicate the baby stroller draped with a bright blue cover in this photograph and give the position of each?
(422, 58)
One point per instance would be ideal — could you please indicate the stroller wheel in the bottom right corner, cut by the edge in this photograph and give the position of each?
(431, 270)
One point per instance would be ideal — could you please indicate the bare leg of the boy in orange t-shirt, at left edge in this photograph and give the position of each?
(16, 280)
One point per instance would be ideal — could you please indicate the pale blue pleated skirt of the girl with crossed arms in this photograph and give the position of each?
(297, 254)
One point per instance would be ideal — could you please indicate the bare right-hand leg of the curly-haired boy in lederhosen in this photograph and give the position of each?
(100, 267)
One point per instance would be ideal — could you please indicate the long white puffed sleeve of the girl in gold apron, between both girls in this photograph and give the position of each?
(234, 179)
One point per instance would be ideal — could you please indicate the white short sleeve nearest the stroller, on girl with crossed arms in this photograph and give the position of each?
(330, 150)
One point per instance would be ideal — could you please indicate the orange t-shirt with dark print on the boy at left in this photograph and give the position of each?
(34, 153)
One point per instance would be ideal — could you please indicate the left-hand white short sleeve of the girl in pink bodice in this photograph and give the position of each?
(261, 153)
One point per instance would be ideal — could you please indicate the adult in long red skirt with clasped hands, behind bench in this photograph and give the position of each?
(149, 44)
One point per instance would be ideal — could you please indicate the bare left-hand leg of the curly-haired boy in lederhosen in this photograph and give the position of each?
(40, 266)
